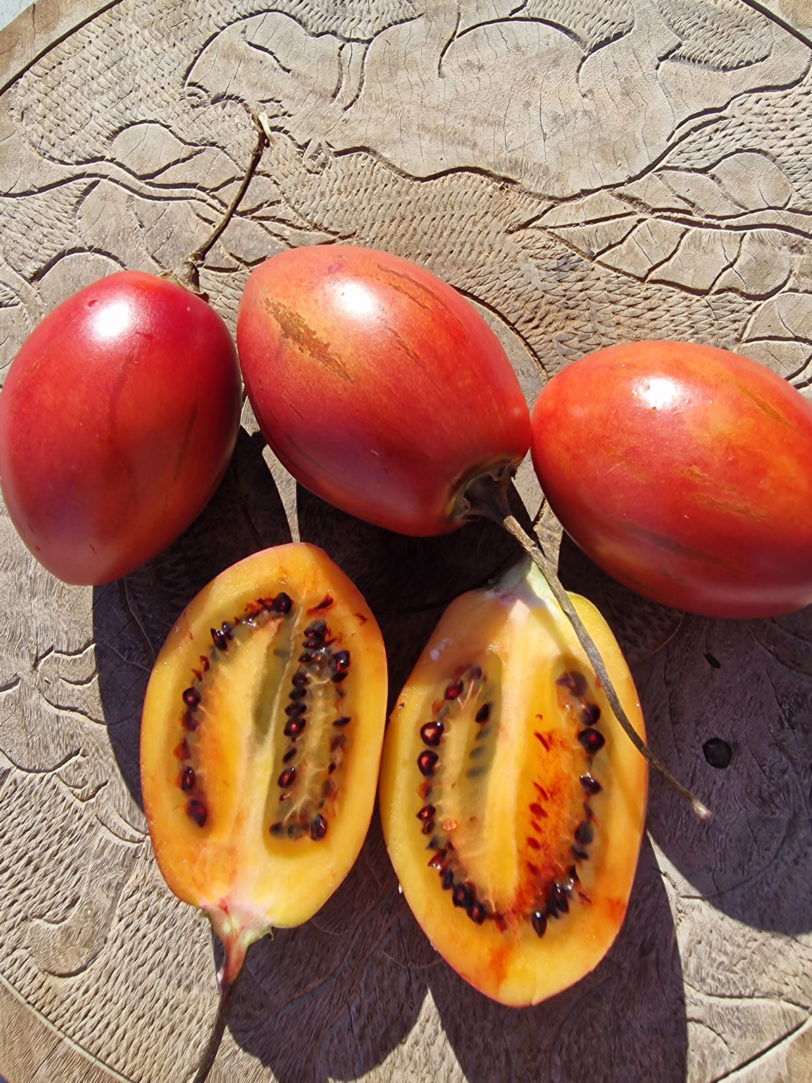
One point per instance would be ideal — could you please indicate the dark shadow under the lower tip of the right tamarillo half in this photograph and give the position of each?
(626, 1021)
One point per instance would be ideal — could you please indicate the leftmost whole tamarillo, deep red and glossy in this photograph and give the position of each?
(119, 419)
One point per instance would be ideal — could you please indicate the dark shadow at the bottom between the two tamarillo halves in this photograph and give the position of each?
(333, 999)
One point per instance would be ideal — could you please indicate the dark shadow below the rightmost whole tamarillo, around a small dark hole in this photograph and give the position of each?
(748, 684)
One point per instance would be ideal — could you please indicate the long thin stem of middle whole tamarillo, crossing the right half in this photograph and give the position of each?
(488, 497)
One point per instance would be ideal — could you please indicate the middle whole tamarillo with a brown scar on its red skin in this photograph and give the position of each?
(377, 385)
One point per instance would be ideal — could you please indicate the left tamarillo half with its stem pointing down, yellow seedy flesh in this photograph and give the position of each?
(260, 747)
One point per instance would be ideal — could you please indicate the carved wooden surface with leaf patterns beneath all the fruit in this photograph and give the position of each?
(586, 172)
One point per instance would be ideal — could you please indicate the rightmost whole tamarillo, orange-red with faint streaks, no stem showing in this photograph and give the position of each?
(686, 473)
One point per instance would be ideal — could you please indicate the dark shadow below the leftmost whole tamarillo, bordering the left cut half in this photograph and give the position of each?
(133, 617)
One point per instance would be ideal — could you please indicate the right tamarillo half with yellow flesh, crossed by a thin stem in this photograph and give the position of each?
(513, 806)
